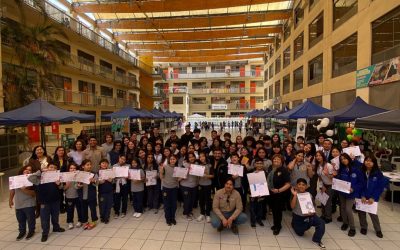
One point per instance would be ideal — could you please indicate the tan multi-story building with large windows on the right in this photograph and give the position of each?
(323, 46)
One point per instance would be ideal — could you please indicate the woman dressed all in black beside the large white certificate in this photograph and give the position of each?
(279, 183)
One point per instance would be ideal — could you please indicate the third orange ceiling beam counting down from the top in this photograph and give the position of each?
(199, 35)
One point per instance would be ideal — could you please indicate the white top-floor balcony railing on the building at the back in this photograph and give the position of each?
(227, 74)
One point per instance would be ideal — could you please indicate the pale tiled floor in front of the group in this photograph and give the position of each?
(150, 232)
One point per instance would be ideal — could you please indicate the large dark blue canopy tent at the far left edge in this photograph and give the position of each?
(40, 111)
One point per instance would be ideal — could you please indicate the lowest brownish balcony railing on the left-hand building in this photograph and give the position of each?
(88, 99)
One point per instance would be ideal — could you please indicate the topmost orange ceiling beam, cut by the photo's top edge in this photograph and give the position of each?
(160, 6)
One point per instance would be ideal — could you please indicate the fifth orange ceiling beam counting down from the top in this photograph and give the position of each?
(195, 53)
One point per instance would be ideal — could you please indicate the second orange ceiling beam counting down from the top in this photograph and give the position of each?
(195, 21)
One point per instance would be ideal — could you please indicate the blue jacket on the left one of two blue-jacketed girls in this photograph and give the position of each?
(355, 177)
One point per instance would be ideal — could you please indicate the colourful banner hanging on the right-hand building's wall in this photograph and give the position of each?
(380, 73)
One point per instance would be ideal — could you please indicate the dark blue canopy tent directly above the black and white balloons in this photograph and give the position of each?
(358, 109)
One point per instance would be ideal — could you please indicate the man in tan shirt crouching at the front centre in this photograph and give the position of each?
(227, 209)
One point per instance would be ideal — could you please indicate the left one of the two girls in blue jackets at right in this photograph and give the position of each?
(348, 172)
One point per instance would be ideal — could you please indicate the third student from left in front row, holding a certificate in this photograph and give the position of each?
(72, 199)
